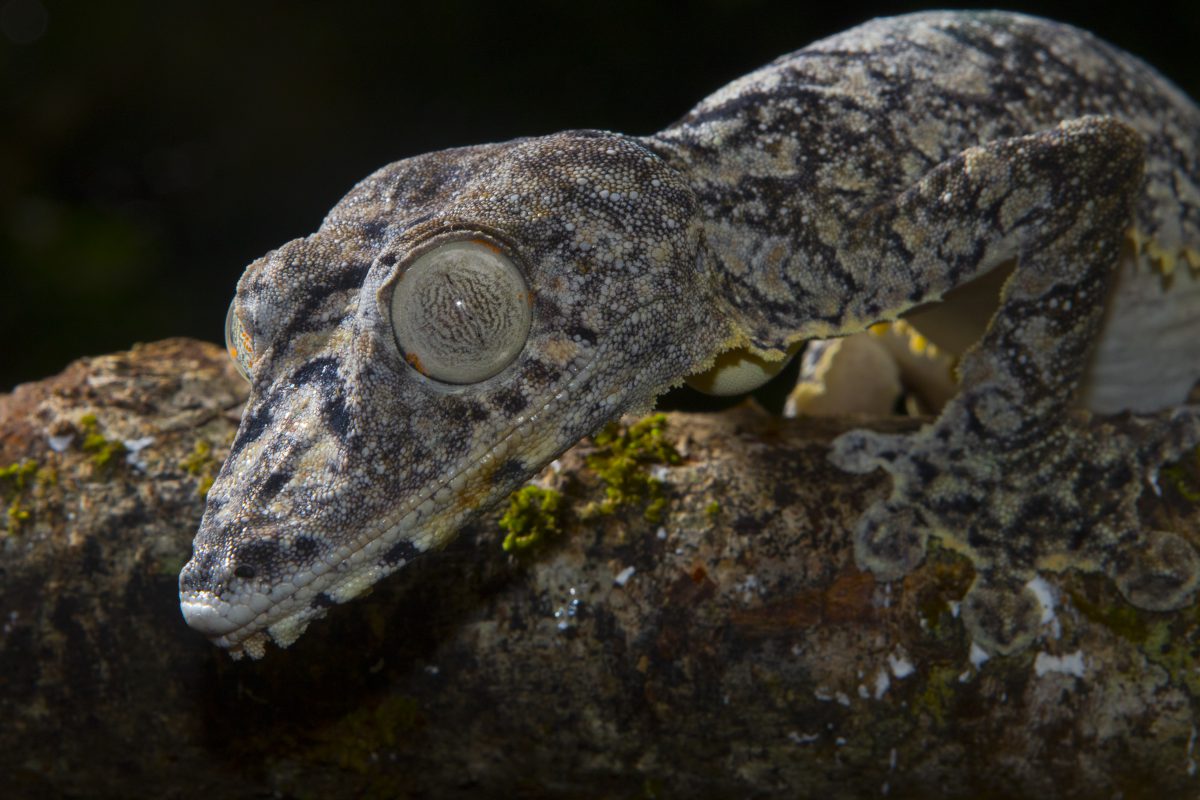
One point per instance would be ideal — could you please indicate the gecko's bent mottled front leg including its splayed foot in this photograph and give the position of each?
(1011, 473)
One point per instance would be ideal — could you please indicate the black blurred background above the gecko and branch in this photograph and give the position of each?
(151, 149)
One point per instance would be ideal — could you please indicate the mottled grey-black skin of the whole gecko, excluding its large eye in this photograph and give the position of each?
(837, 188)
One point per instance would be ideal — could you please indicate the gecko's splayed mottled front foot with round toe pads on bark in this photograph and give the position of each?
(1065, 500)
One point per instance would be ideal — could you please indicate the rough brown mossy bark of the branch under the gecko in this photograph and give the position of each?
(743, 657)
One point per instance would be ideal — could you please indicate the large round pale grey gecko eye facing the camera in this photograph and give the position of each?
(461, 312)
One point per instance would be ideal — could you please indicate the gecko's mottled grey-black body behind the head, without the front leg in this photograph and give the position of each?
(787, 160)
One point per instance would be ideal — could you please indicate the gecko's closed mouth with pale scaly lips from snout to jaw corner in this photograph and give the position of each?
(245, 622)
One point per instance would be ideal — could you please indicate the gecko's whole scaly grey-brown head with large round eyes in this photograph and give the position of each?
(459, 321)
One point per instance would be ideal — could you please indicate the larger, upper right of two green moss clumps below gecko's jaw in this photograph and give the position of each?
(621, 460)
